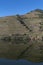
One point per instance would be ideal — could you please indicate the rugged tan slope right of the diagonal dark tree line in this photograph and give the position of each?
(33, 20)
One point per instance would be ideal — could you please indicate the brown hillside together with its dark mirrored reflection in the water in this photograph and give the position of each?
(21, 36)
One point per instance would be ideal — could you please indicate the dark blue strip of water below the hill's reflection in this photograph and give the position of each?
(18, 62)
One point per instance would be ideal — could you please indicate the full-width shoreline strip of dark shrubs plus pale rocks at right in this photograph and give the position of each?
(21, 38)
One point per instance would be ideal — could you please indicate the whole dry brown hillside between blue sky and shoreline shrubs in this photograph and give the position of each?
(30, 23)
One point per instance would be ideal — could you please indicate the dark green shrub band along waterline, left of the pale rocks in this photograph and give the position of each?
(16, 38)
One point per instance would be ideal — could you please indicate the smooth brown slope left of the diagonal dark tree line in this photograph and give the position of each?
(10, 25)
